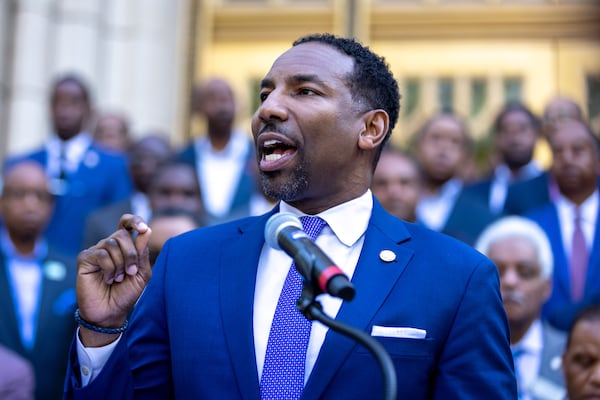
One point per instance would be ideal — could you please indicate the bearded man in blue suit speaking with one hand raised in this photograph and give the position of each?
(204, 326)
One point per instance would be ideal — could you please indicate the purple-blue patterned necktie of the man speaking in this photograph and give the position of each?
(285, 358)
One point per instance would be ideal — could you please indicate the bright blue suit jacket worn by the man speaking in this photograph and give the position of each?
(191, 334)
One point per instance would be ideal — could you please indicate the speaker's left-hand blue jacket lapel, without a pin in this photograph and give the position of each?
(238, 274)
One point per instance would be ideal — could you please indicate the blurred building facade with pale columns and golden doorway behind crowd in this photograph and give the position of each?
(142, 56)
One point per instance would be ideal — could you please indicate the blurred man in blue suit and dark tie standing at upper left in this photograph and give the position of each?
(83, 177)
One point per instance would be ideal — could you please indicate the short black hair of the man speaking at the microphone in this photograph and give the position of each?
(371, 81)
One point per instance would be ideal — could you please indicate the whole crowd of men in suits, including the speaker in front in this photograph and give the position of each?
(321, 138)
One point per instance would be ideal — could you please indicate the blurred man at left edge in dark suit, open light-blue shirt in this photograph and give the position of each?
(37, 296)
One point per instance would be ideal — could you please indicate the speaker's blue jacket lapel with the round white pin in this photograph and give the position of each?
(373, 280)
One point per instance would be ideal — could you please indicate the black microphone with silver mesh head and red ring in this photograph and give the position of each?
(283, 231)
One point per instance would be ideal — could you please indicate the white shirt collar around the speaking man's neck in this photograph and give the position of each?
(347, 230)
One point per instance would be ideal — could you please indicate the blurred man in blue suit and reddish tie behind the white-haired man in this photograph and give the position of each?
(575, 168)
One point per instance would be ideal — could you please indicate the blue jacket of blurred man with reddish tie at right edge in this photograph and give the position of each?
(559, 310)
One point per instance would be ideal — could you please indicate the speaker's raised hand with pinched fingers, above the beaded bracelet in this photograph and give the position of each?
(111, 277)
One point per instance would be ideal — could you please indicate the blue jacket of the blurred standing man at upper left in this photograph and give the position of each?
(101, 179)
